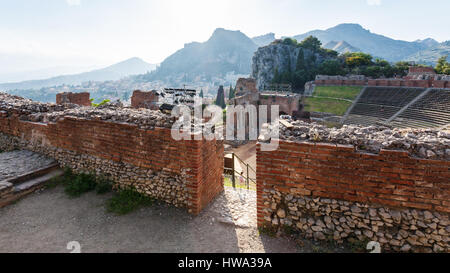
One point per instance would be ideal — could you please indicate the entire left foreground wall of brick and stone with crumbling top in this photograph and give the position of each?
(132, 151)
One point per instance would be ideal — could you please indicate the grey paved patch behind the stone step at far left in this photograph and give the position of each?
(17, 163)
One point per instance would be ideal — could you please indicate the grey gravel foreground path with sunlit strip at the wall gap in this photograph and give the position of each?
(46, 221)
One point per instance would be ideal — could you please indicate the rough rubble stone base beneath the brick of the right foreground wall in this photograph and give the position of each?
(405, 230)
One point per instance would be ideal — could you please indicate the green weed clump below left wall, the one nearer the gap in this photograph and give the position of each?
(127, 201)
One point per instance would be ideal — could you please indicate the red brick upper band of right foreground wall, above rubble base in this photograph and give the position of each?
(391, 178)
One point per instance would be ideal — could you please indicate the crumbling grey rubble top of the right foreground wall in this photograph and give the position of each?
(420, 143)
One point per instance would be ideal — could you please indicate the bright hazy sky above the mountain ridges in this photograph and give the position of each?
(45, 33)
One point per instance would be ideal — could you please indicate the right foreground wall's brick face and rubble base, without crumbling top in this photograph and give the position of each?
(332, 192)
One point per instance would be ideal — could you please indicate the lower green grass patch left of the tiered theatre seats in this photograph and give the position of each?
(336, 107)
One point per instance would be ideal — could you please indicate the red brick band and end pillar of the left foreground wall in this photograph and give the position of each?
(153, 149)
